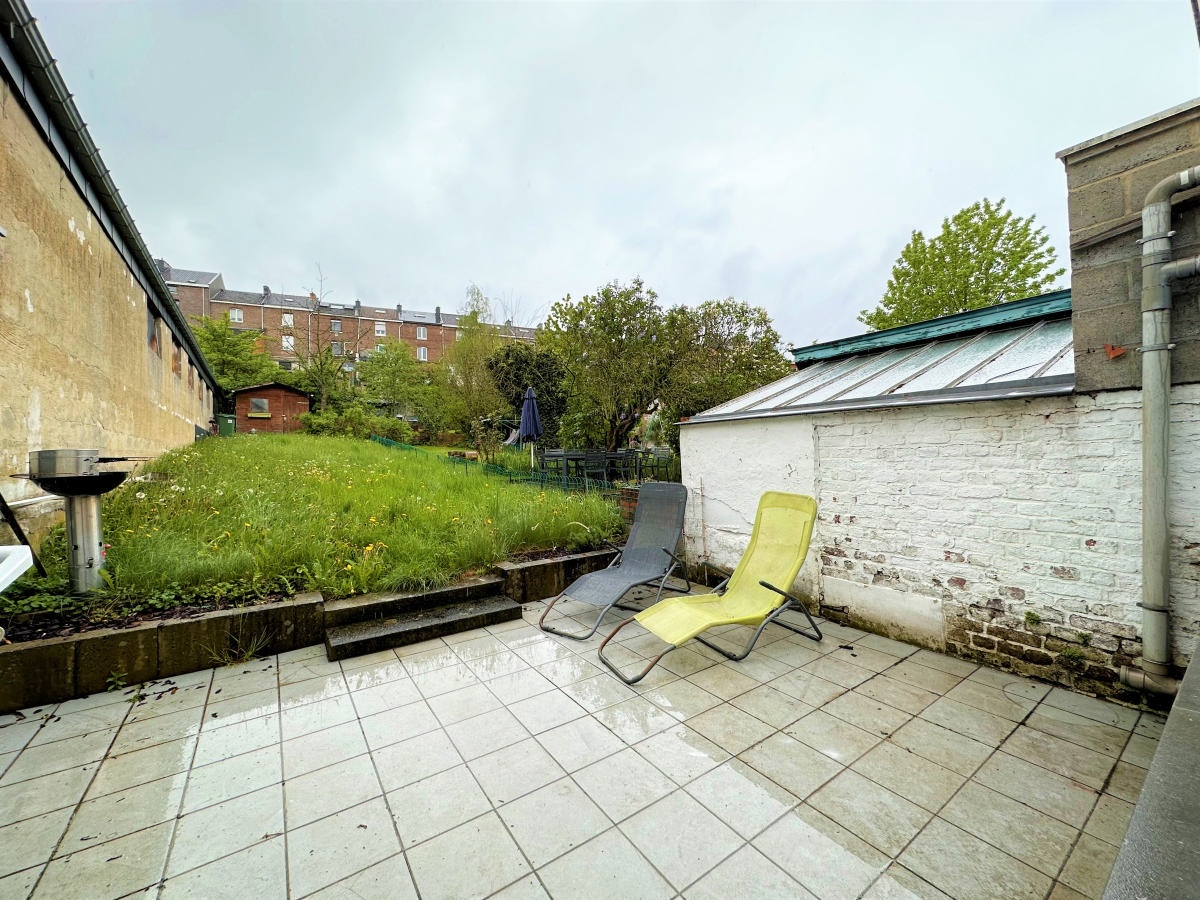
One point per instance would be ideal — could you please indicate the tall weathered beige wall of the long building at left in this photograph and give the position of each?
(82, 362)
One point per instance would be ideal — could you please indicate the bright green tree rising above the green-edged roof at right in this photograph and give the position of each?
(985, 255)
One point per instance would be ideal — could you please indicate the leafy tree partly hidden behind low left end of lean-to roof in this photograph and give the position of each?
(725, 349)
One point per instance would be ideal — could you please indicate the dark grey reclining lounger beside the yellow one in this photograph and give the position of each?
(647, 557)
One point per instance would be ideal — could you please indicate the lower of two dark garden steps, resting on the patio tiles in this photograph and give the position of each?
(415, 626)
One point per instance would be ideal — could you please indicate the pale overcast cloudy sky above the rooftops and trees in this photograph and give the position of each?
(781, 154)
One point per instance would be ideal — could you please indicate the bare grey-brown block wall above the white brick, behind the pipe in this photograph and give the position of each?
(1108, 181)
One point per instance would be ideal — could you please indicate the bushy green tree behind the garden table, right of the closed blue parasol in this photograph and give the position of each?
(616, 355)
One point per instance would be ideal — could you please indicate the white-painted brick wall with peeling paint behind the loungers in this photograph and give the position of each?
(1007, 531)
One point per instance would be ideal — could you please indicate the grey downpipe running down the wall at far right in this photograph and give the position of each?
(1157, 274)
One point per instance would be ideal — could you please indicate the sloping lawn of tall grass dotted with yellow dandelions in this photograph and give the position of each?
(335, 515)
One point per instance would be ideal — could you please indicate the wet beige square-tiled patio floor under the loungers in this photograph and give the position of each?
(506, 763)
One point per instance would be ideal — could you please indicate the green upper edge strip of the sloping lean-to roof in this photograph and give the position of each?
(1033, 308)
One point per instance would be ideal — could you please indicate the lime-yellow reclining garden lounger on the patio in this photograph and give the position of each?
(757, 595)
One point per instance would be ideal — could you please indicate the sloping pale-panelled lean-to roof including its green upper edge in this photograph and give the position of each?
(1016, 350)
